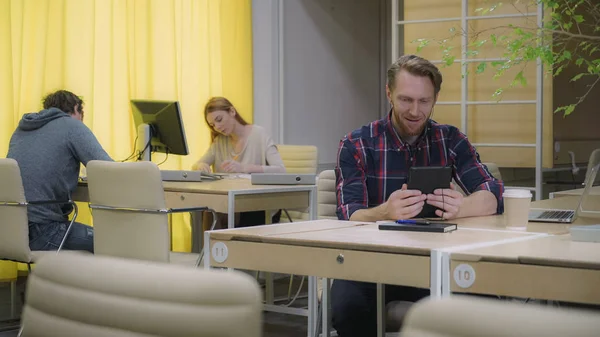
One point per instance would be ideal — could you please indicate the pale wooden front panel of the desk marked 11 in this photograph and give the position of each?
(409, 270)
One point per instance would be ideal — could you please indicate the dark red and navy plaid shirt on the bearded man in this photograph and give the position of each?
(373, 162)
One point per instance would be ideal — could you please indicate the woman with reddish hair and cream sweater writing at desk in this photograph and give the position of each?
(237, 147)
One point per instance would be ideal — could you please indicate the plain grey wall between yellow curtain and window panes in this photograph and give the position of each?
(333, 53)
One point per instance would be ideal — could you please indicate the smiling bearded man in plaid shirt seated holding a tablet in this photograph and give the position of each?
(372, 171)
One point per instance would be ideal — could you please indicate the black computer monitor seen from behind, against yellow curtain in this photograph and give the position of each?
(159, 127)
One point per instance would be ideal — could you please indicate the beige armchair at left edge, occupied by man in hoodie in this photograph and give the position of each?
(14, 224)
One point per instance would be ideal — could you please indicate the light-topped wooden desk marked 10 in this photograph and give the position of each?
(550, 268)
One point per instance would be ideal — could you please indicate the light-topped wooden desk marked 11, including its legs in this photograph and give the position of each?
(345, 250)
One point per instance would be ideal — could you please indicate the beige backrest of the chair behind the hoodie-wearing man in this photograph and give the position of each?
(14, 226)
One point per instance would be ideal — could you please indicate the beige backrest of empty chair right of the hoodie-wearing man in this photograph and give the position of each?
(138, 235)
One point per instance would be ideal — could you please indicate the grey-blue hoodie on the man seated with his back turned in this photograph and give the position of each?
(50, 146)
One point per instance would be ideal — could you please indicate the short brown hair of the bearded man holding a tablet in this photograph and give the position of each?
(417, 66)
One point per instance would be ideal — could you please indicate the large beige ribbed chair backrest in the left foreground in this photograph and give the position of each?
(74, 295)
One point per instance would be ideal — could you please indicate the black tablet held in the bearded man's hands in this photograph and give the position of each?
(427, 179)
